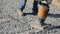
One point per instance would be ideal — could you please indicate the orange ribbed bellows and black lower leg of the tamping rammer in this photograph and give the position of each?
(42, 13)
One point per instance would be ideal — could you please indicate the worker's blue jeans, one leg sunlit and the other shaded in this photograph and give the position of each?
(22, 4)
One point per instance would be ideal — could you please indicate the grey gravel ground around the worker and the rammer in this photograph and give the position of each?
(11, 23)
